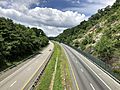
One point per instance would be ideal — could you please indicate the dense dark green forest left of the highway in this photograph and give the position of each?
(18, 42)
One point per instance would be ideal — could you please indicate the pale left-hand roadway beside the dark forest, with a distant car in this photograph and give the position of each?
(21, 78)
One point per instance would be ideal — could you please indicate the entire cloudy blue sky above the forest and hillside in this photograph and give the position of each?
(52, 16)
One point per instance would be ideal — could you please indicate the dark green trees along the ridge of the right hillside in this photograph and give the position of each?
(78, 31)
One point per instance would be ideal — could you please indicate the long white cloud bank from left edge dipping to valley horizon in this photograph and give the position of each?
(52, 21)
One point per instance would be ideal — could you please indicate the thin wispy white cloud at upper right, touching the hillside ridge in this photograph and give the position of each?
(90, 7)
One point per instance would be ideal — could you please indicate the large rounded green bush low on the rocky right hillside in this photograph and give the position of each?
(105, 49)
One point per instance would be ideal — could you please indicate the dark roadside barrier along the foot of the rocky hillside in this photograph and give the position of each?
(104, 66)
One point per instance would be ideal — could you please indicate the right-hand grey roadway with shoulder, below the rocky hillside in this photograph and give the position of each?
(86, 75)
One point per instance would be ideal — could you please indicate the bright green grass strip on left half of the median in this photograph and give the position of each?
(47, 75)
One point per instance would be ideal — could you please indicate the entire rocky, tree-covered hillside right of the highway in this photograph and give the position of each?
(99, 36)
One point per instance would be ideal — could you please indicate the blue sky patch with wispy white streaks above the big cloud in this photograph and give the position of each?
(87, 7)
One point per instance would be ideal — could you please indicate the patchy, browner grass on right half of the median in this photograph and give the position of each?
(63, 73)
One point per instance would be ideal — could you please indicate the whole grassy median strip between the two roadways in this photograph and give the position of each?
(62, 76)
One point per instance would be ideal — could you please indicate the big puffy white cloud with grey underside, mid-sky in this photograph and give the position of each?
(54, 17)
